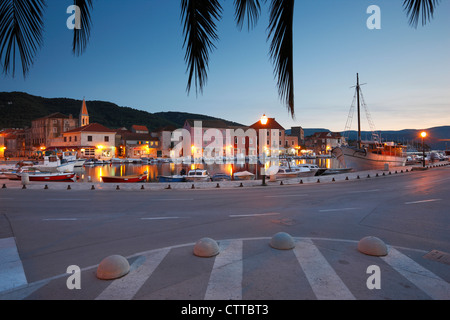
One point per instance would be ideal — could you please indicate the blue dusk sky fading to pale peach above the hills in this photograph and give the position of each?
(135, 58)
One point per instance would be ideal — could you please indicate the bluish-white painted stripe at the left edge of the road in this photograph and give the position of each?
(12, 274)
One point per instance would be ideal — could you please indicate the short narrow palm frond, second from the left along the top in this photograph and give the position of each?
(81, 36)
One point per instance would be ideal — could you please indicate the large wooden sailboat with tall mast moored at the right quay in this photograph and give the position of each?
(369, 155)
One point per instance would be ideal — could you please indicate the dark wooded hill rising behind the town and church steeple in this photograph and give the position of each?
(18, 109)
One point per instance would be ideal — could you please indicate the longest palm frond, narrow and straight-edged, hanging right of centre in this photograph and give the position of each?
(281, 48)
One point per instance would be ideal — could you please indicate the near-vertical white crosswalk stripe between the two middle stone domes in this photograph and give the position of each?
(225, 282)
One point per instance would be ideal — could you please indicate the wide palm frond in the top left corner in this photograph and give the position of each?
(21, 27)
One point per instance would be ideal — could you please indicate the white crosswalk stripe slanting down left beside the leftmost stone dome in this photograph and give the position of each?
(126, 287)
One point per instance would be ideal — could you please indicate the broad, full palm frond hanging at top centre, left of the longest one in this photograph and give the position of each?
(199, 30)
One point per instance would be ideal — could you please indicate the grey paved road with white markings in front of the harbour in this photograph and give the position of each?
(43, 232)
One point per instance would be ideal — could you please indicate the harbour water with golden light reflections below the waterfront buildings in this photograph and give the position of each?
(94, 173)
